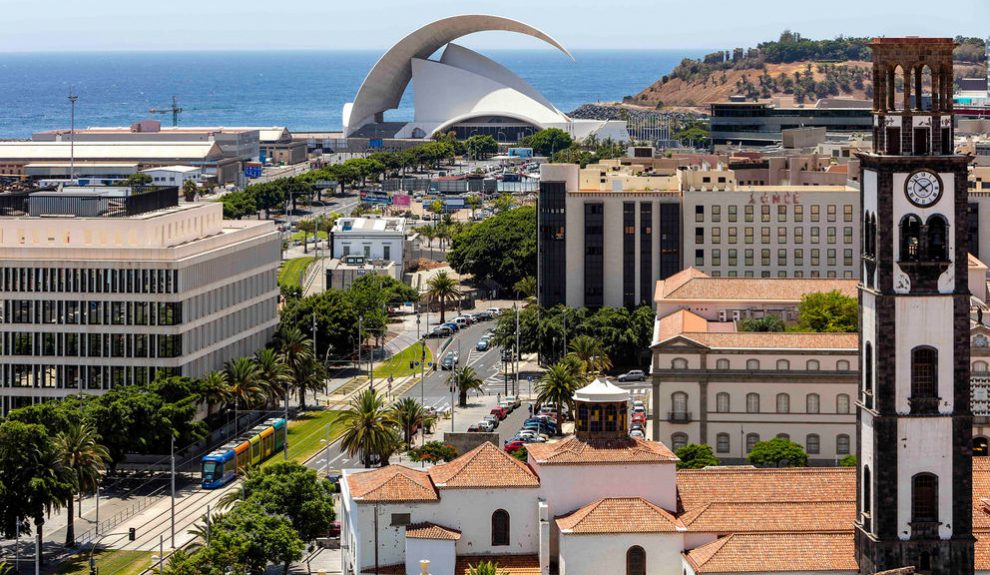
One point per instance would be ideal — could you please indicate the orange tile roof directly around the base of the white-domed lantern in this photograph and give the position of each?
(572, 451)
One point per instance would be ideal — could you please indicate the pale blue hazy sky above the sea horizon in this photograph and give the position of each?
(132, 25)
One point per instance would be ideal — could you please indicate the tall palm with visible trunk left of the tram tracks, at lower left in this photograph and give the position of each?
(86, 459)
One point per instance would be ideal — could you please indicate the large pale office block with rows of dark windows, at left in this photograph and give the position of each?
(100, 289)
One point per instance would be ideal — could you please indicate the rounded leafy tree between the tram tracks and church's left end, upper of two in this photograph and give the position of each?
(295, 491)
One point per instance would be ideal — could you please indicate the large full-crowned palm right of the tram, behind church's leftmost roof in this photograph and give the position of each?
(366, 427)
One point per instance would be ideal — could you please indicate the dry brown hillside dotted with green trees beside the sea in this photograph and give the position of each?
(792, 67)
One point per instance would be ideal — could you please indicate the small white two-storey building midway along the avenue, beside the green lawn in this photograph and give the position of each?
(375, 239)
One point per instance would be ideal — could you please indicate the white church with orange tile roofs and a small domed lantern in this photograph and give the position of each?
(599, 502)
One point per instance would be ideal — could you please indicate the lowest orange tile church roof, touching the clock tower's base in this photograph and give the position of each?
(765, 553)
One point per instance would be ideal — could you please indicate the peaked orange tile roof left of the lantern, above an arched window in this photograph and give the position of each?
(484, 466)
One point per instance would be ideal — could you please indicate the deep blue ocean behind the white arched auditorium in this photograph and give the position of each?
(302, 90)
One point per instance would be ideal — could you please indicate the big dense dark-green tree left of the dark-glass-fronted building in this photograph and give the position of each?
(501, 249)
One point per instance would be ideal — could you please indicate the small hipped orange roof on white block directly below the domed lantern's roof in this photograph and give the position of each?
(619, 515)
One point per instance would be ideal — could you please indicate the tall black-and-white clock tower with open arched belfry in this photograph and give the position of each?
(914, 479)
